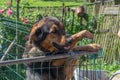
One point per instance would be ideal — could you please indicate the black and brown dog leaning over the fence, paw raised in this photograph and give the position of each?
(48, 37)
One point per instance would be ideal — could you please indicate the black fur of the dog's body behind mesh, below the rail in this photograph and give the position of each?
(45, 68)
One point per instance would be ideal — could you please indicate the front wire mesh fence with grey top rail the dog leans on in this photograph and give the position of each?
(87, 67)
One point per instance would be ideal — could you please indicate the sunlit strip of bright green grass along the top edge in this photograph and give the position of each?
(42, 3)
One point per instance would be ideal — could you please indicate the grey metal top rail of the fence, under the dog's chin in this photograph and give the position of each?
(45, 58)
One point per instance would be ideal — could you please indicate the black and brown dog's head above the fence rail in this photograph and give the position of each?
(47, 33)
